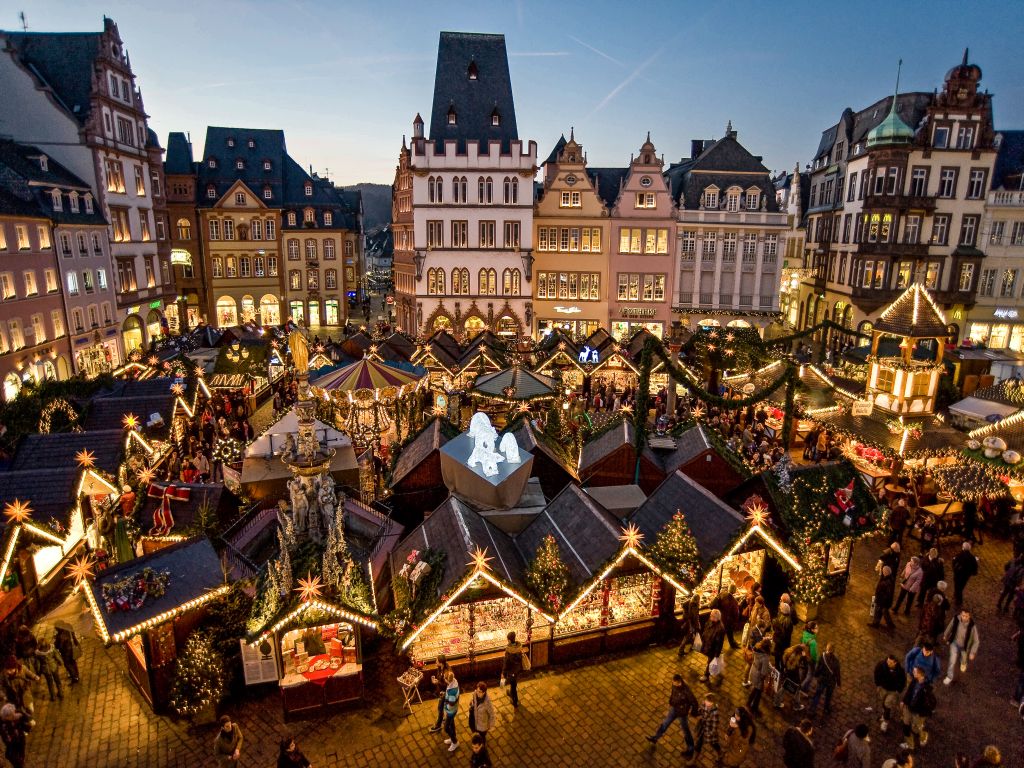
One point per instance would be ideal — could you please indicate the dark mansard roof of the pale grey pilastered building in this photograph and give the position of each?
(723, 164)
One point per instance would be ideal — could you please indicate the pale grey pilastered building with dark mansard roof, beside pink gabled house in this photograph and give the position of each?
(730, 232)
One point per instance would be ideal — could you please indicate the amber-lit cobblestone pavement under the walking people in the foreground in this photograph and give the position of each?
(589, 714)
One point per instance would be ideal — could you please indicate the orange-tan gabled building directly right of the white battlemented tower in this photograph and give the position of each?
(573, 239)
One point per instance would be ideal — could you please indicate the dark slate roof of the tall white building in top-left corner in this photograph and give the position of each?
(64, 62)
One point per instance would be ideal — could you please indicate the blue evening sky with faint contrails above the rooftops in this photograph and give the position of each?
(346, 79)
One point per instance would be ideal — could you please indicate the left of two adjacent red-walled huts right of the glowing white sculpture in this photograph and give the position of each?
(611, 459)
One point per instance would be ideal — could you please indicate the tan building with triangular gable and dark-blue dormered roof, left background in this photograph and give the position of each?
(240, 196)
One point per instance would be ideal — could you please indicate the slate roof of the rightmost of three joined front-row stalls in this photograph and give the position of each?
(715, 525)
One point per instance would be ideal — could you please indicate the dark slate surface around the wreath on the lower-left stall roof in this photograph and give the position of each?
(195, 570)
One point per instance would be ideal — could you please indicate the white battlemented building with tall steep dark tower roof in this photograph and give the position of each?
(470, 267)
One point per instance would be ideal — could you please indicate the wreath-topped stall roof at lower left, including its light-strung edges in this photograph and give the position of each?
(196, 577)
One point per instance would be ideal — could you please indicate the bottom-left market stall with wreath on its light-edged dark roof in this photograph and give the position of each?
(151, 606)
